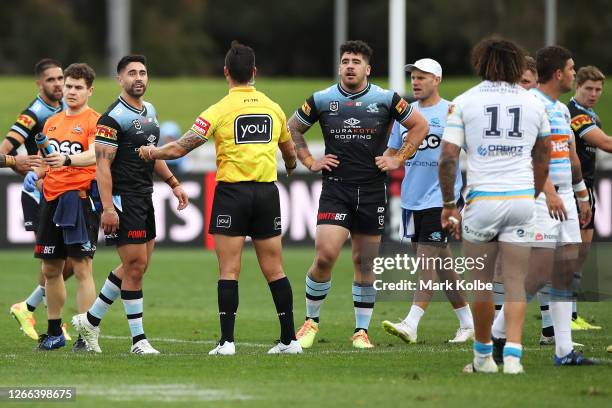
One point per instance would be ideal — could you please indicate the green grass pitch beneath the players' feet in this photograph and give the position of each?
(181, 321)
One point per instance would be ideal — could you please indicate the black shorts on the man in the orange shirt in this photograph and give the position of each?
(50, 238)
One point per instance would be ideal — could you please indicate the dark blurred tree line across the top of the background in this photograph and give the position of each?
(291, 38)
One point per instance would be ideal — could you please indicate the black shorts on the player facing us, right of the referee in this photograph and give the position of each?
(360, 209)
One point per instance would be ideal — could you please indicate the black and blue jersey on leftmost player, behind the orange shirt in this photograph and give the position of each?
(32, 121)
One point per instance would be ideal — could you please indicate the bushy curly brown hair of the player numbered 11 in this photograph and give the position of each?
(496, 59)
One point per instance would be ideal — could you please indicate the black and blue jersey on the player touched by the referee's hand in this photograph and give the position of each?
(127, 128)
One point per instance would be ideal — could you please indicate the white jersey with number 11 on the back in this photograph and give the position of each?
(497, 123)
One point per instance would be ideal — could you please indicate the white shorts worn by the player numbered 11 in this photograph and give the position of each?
(508, 220)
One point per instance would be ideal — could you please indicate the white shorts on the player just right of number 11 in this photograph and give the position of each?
(551, 233)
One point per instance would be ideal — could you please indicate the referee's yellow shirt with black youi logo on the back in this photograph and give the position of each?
(247, 127)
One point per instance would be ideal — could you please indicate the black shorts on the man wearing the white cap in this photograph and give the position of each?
(424, 226)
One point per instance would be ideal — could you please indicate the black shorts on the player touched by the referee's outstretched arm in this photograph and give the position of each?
(136, 220)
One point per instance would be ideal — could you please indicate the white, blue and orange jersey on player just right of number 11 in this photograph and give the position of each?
(561, 135)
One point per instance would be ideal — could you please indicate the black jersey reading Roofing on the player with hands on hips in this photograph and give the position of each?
(355, 128)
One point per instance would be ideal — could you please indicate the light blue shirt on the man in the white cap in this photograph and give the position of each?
(420, 187)
